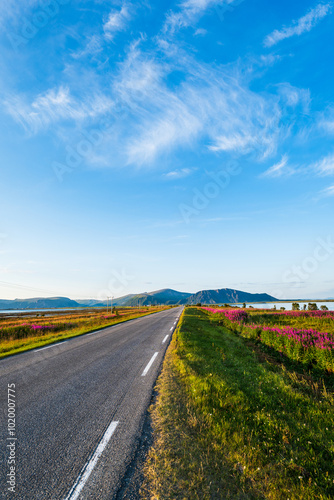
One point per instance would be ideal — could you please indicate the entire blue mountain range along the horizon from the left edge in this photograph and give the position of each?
(165, 296)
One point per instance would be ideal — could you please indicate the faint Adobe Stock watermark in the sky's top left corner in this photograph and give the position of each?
(49, 9)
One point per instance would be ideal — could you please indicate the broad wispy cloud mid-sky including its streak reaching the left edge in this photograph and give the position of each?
(211, 107)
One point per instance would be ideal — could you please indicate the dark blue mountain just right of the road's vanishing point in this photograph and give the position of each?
(228, 296)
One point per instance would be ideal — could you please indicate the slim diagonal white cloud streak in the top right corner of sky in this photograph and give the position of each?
(304, 24)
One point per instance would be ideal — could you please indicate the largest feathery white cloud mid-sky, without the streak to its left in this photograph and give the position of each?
(212, 105)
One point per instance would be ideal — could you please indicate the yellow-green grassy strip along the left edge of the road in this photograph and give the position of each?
(16, 346)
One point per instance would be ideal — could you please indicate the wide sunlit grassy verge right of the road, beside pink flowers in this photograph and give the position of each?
(231, 423)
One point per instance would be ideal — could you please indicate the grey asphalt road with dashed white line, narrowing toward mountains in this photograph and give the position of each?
(79, 407)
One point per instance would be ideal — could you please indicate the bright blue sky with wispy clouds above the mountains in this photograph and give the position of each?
(182, 144)
